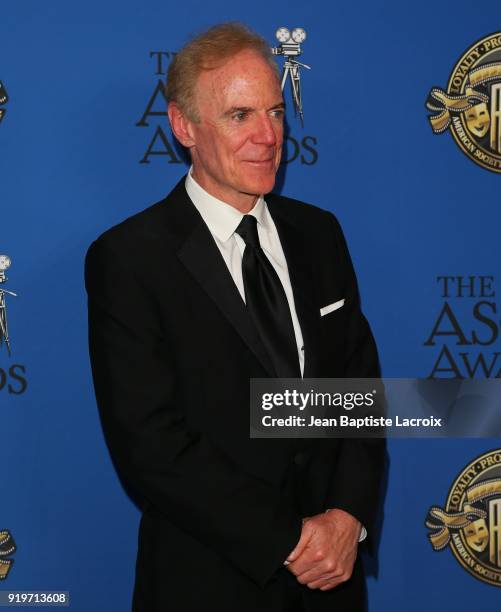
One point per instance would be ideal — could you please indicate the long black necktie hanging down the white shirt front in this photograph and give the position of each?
(267, 303)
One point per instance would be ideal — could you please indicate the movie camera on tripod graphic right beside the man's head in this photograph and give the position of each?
(290, 48)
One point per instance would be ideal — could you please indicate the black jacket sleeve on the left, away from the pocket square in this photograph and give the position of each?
(179, 473)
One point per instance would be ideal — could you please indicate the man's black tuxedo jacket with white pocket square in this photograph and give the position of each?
(172, 351)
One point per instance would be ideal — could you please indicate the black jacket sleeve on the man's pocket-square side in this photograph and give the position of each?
(356, 485)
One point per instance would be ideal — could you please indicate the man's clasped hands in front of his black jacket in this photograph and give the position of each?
(325, 554)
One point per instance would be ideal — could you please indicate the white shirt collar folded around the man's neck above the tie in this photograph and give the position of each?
(222, 219)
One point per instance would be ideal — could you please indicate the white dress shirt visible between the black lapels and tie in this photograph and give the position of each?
(222, 220)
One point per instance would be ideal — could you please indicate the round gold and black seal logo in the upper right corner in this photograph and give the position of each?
(471, 105)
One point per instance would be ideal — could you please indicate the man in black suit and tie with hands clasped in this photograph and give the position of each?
(190, 299)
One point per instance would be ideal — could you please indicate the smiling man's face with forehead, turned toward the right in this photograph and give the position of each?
(238, 140)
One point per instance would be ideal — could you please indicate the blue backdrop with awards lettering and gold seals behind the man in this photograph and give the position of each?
(401, 139)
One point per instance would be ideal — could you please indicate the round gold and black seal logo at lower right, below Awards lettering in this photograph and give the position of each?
(470, 523)
